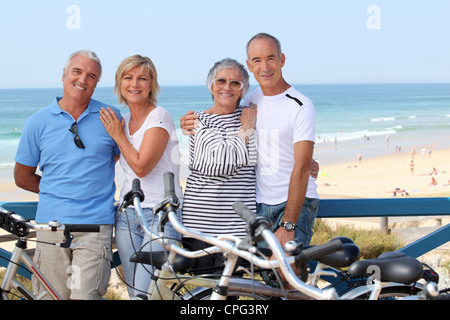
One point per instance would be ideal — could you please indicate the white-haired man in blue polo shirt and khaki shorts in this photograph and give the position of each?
(76, 158)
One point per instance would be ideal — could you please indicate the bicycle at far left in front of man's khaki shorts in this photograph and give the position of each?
(20, 227)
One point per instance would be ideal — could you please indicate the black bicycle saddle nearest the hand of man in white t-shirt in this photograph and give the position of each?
(343, 258)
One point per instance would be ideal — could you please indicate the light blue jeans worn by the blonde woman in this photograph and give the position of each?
(131, 238)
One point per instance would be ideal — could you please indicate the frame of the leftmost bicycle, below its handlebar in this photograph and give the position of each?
(10, 280)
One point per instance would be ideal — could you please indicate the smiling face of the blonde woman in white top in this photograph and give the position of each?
(135, 85)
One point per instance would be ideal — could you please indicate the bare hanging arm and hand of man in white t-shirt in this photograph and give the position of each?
(303, 151)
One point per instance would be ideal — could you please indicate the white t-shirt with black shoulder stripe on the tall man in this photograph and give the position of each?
(282, 120)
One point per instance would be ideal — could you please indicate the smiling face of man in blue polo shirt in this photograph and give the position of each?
(80, 79)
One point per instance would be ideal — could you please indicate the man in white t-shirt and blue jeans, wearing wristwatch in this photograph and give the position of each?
(286, 193)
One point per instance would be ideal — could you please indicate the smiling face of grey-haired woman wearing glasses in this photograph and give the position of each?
(225, 96)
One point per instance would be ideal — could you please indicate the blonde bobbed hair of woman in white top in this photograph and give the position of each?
(130, 63)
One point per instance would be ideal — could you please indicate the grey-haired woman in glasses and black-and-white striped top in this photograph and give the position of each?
(222, 156)
